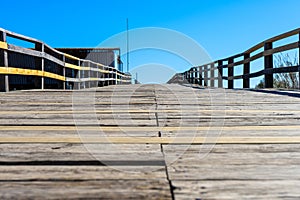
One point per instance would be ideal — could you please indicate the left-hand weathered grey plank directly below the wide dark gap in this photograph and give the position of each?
(80, 173)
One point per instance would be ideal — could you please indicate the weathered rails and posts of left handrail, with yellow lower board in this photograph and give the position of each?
(69, 65)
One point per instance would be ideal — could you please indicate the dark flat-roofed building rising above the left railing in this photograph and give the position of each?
(106, 56)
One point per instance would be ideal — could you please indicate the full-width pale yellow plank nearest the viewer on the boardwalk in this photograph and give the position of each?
(153, 140)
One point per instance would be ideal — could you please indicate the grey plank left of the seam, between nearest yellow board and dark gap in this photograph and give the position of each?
(134, 154)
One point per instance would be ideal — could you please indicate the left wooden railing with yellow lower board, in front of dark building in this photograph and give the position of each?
(44, 67)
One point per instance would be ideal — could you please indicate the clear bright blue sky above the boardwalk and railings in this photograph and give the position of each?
(222, 27)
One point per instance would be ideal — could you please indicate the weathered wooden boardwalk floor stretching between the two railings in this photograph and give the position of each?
(150, 142)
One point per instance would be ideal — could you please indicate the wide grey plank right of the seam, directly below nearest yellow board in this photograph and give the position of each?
(239, 154)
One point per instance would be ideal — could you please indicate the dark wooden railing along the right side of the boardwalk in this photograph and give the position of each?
(209, 74)
